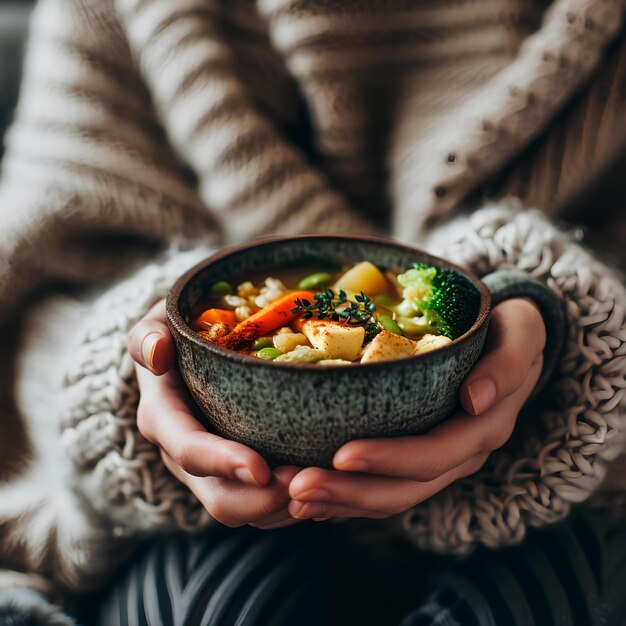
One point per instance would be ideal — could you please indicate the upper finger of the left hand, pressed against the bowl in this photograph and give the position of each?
(164, 418)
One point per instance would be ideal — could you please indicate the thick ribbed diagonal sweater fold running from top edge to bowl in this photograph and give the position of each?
(227, 105)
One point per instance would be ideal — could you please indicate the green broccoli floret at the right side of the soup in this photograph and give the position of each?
(437, 300)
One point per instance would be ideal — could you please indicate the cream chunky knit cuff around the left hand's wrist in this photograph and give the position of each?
(120, 472)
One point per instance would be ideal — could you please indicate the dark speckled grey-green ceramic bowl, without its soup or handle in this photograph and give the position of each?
(301, 414)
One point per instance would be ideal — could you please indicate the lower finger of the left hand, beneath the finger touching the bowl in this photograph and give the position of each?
(235, 504)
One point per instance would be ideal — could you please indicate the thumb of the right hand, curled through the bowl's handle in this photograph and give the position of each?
(516, 339)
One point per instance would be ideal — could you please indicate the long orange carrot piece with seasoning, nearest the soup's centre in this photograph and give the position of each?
(278, 313)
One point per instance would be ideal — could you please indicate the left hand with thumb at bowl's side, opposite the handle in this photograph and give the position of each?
(232, 481)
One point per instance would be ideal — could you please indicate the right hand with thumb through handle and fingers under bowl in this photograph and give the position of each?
(378, 478)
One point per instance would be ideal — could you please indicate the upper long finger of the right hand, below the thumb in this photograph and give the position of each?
(425, 457)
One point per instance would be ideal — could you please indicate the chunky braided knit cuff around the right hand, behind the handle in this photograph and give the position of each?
(559, 451)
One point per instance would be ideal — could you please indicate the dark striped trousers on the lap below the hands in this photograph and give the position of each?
(573, 574)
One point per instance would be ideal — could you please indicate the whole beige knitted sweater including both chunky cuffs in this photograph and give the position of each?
(150, 132)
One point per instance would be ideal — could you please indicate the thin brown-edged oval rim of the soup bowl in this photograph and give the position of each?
(176, 322)
